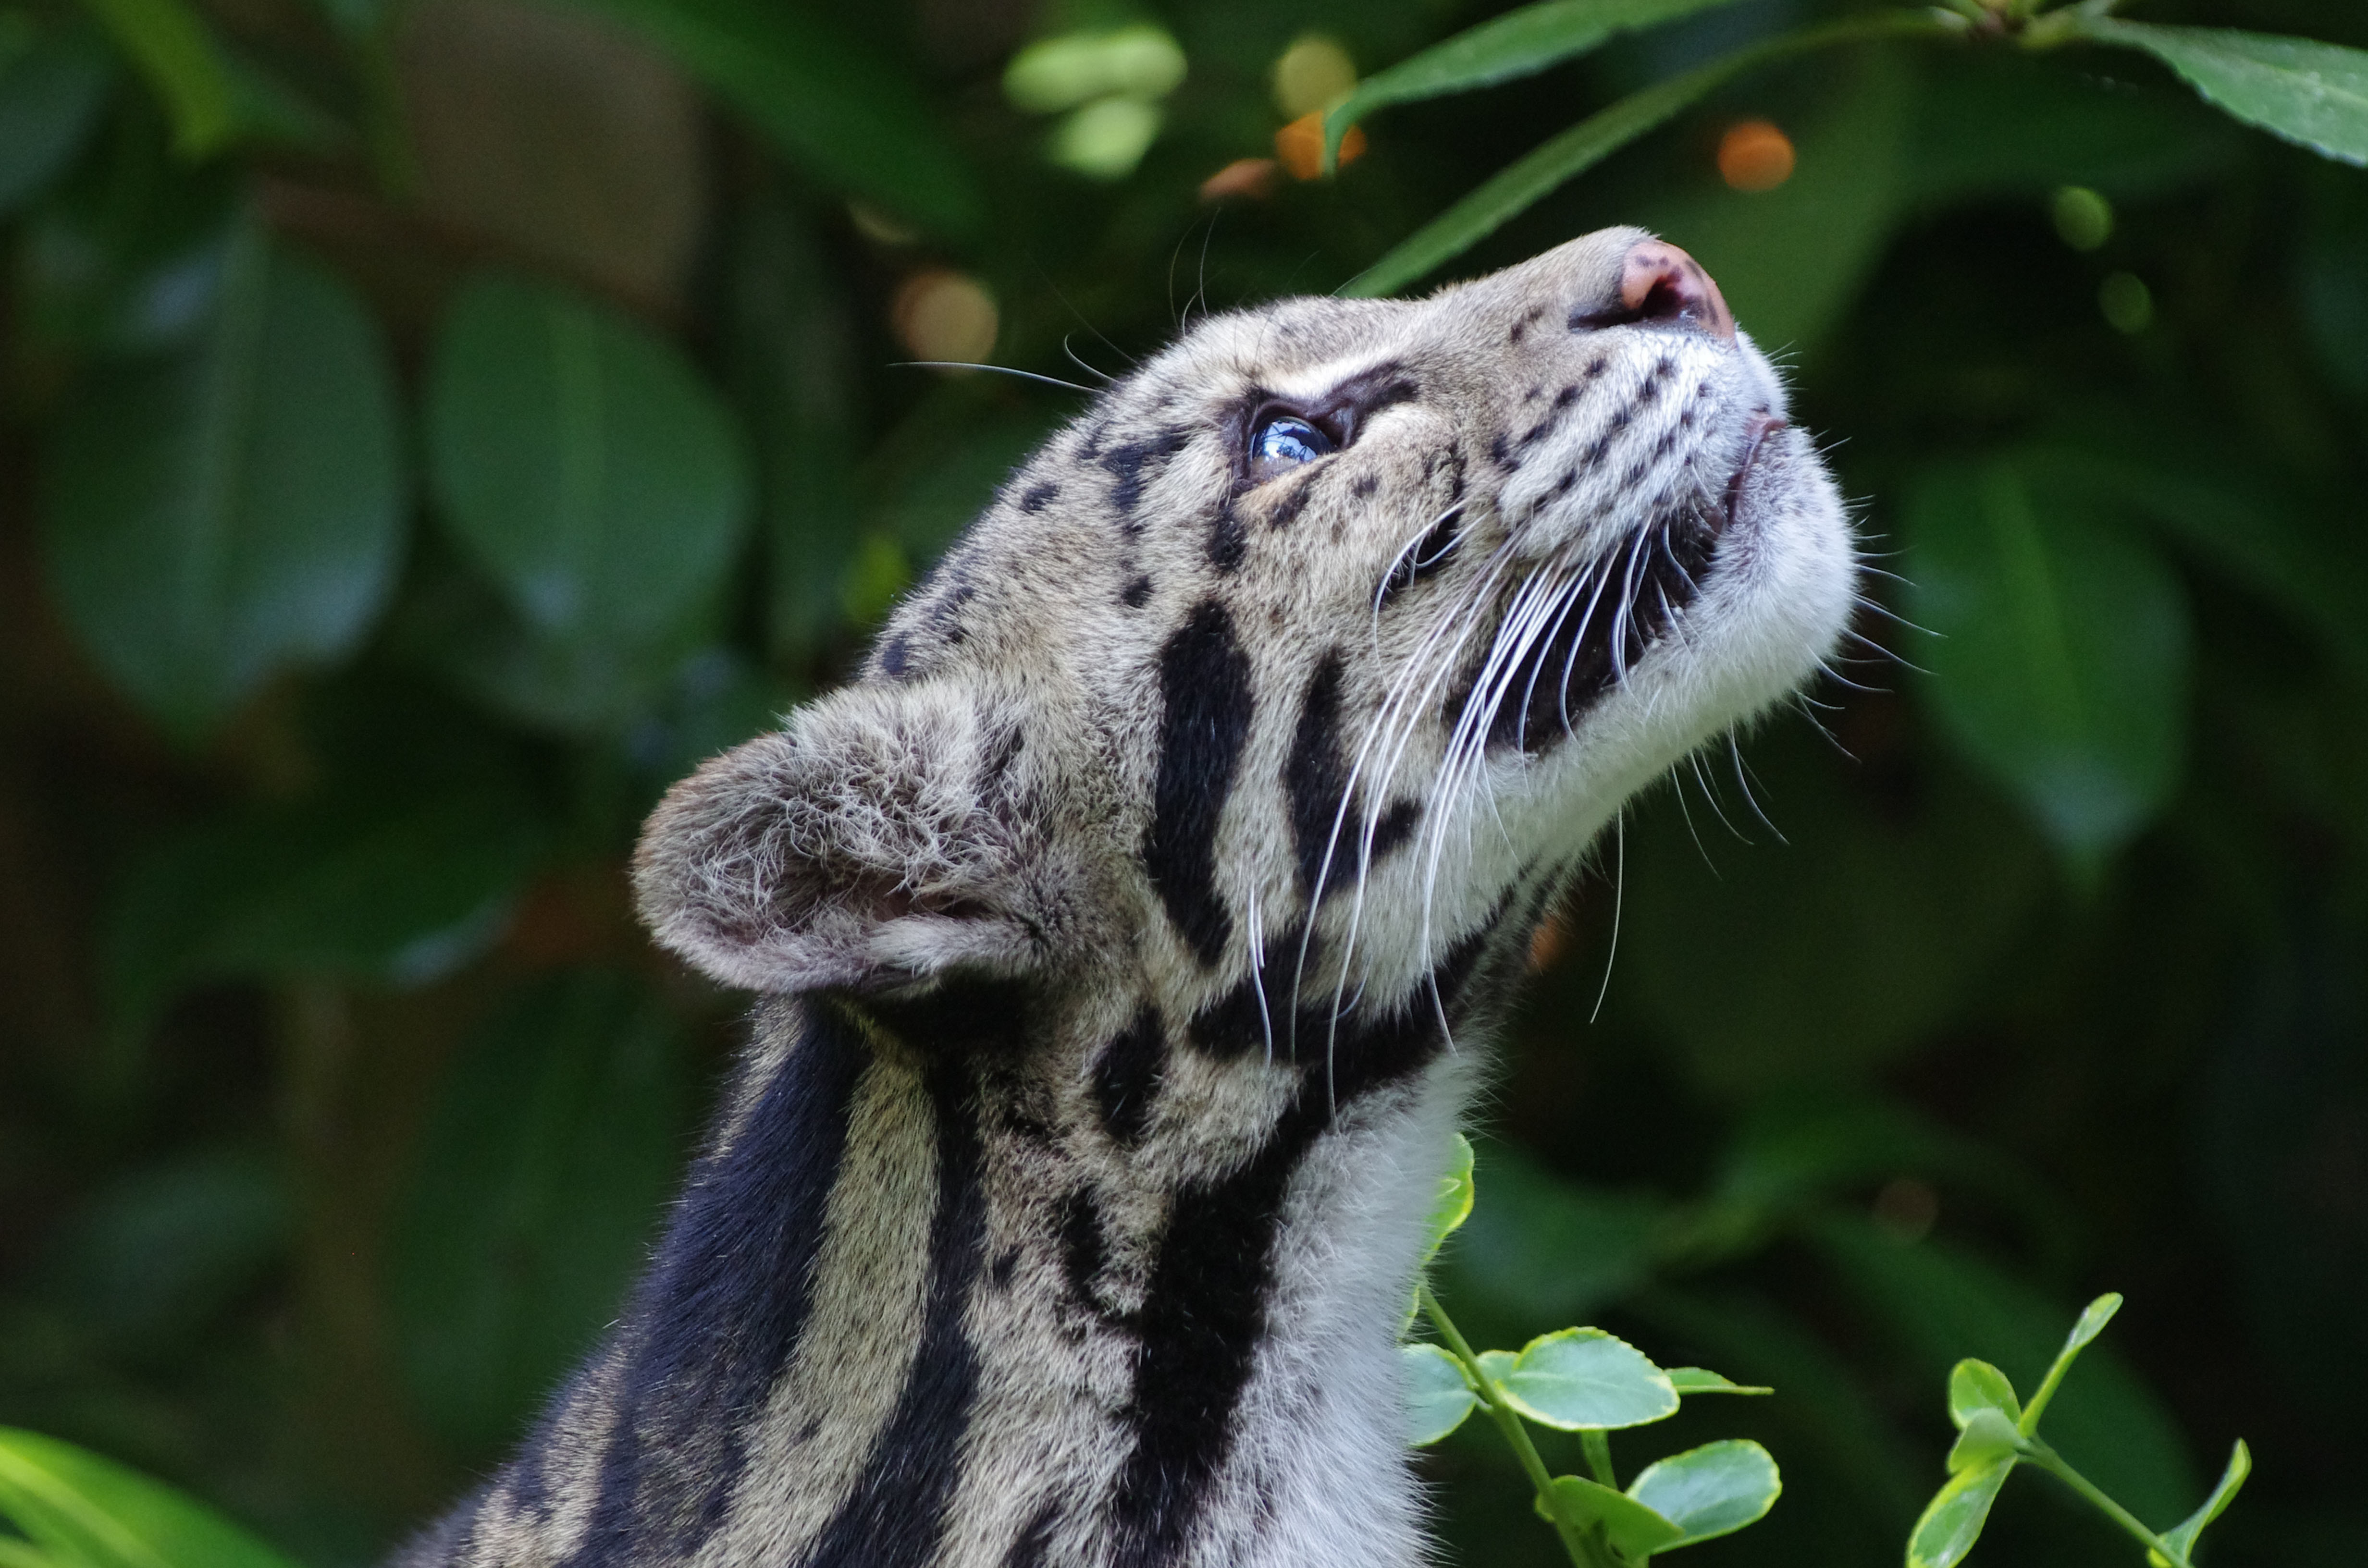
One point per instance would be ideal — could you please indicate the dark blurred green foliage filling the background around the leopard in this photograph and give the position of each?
(430, 428)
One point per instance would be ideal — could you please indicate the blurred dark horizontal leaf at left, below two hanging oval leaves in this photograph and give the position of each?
(394, 892)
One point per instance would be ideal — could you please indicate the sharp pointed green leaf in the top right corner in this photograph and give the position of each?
(2305, 91)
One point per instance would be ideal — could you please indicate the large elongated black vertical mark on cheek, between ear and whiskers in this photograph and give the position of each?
(1204, 728)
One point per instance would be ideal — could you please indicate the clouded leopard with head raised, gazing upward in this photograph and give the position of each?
(1128, 934)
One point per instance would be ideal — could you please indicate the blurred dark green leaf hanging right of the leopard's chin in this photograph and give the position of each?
(2059, 657)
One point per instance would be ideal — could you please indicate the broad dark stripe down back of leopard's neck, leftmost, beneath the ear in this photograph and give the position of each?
(716, 1318)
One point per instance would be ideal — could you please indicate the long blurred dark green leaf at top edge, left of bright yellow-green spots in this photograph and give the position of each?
(823, 96)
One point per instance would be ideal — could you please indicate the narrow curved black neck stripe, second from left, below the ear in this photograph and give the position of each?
(899, 1510)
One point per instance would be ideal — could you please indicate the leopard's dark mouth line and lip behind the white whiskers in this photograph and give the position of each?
(1611, 612)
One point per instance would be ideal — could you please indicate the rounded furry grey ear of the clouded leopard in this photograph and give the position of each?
(882, 840)
